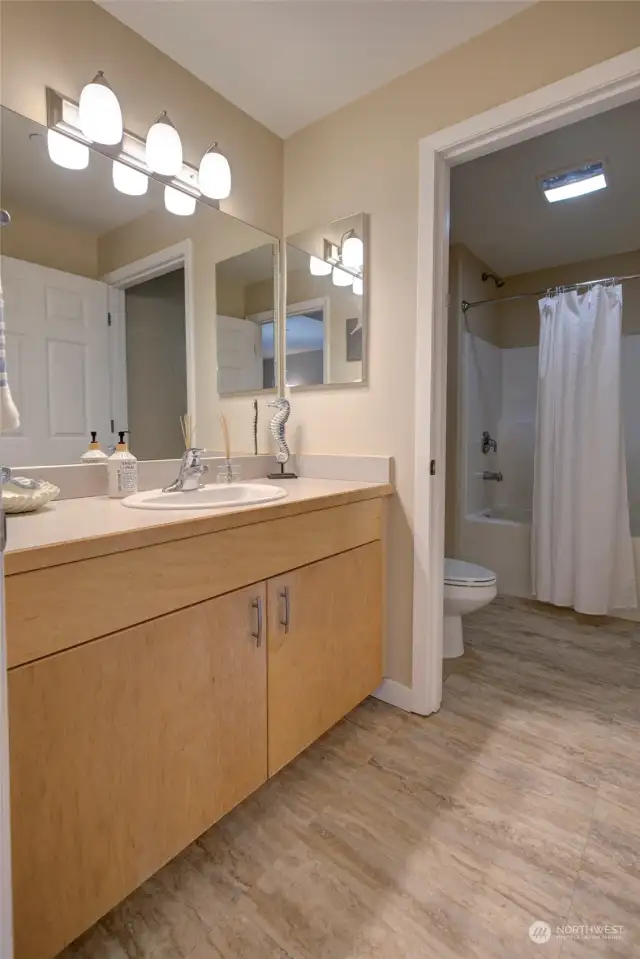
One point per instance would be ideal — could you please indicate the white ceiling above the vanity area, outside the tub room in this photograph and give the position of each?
(289, 63)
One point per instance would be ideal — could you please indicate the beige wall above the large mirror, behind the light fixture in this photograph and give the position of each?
(61, 44)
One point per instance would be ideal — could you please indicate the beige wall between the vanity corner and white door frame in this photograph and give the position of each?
(365, 157)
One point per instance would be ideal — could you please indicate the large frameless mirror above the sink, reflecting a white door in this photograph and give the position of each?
(120, 314)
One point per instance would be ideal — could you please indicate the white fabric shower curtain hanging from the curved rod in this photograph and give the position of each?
(582, 554)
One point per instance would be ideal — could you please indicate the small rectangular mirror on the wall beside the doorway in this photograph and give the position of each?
(327, 301)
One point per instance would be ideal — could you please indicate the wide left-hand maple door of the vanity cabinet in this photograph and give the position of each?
(125, 750)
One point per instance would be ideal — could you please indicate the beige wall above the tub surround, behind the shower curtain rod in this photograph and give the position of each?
(519, 319)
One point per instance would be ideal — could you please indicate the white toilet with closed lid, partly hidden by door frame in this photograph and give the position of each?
(467, 587)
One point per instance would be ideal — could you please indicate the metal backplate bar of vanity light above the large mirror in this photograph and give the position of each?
(63, 115)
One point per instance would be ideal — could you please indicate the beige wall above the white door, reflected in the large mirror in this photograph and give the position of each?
(49, 243)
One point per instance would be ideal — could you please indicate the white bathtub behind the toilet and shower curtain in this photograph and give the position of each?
(500, 539)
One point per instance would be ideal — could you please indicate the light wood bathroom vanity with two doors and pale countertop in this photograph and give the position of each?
(162, 668)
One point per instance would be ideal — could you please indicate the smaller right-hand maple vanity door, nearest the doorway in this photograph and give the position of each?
(329, 656)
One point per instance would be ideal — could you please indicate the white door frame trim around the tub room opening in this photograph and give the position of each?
(598, 89)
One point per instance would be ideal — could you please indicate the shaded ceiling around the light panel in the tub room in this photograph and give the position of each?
(499, 211)
